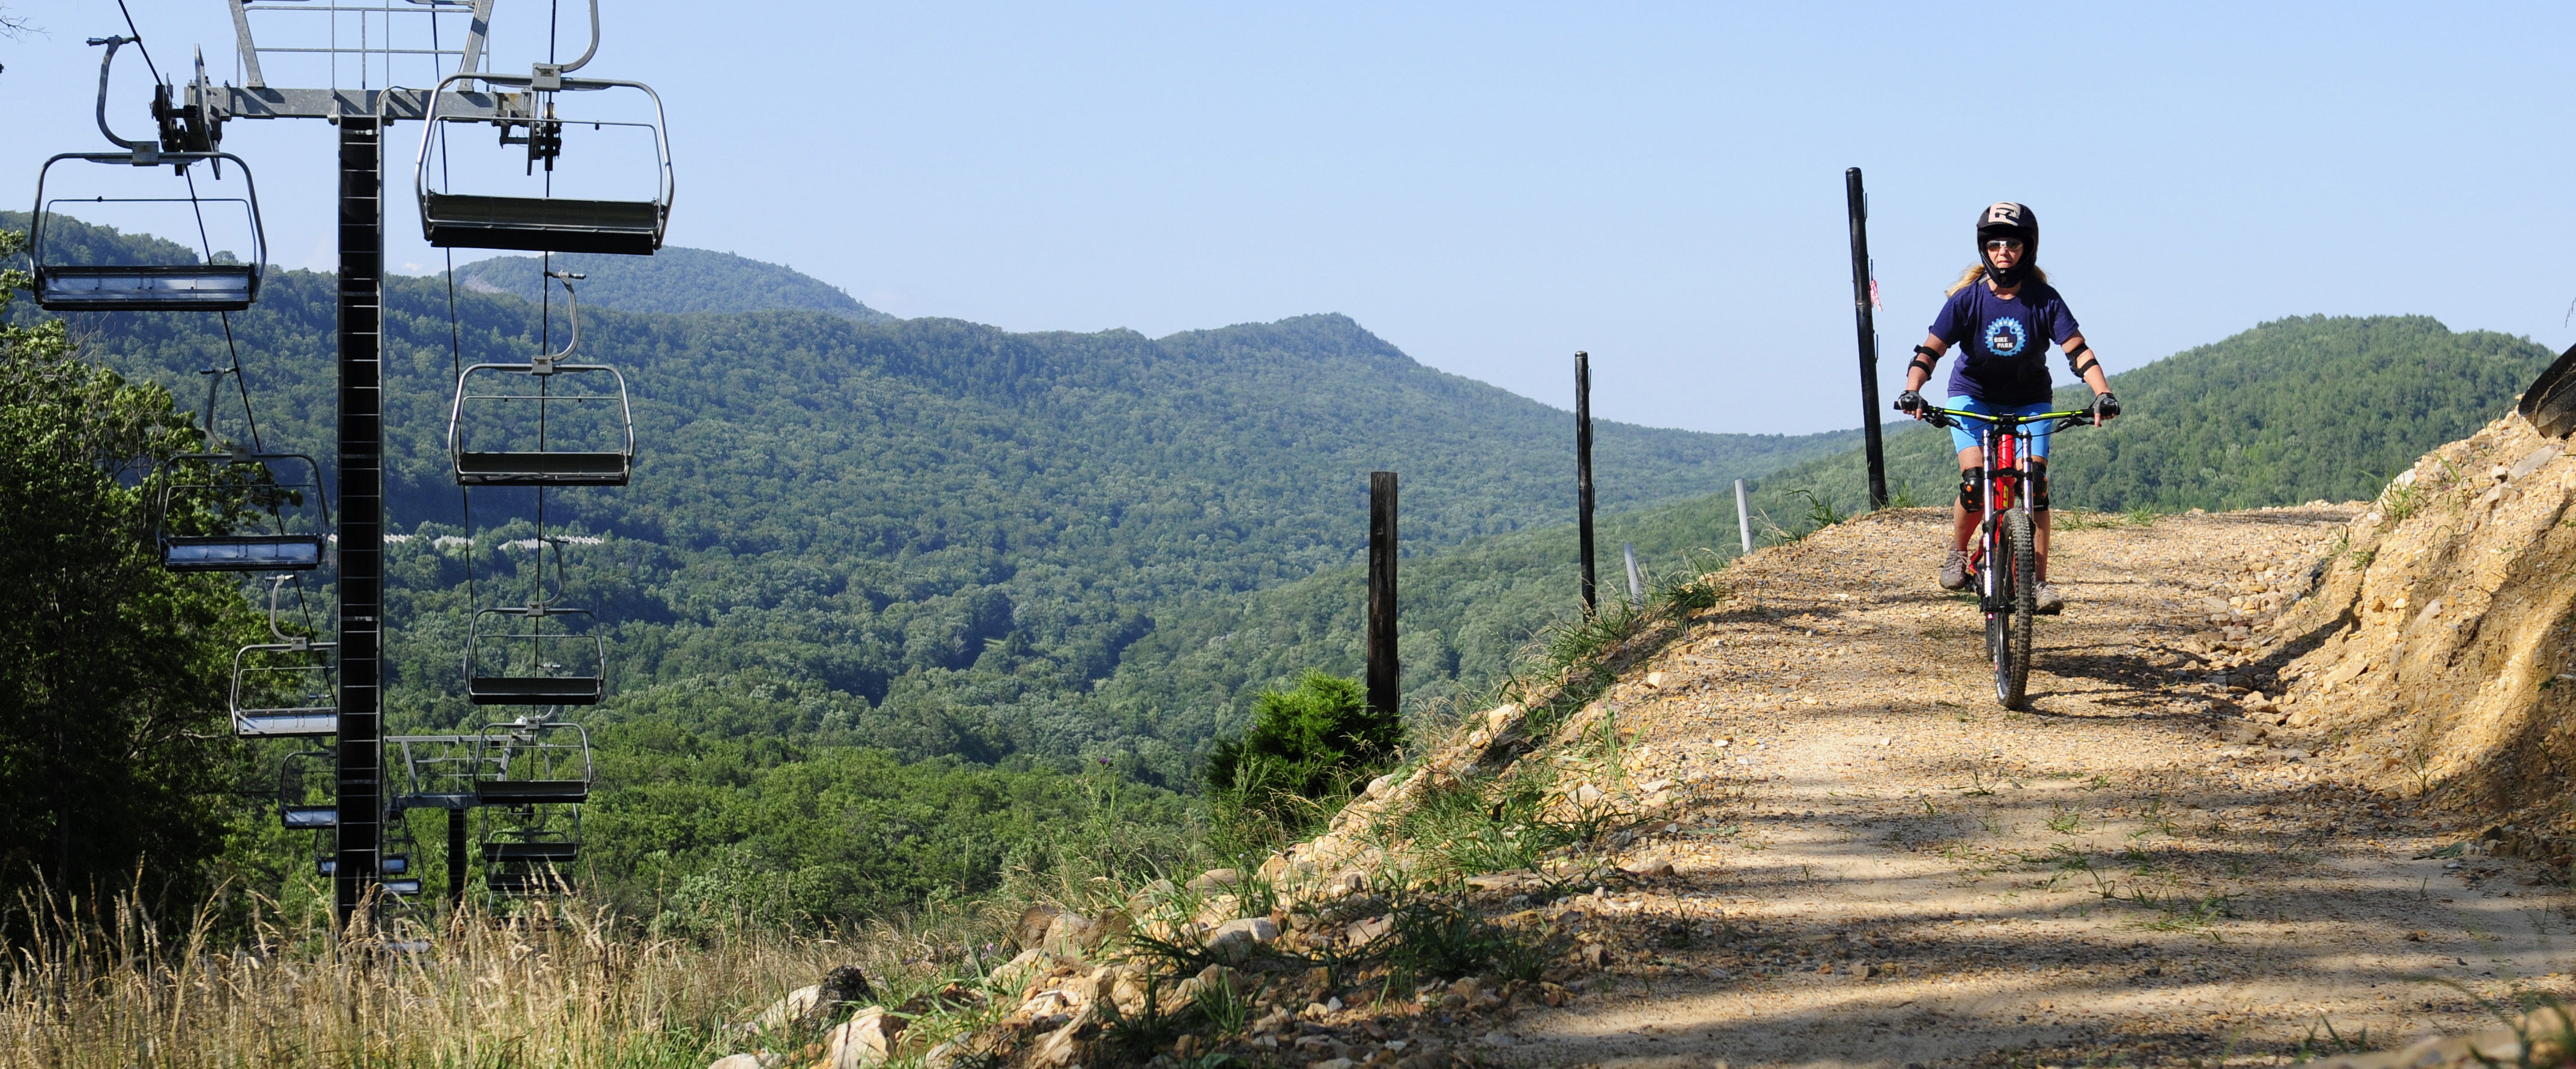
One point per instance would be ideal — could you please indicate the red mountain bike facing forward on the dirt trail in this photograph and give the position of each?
(2008, 591)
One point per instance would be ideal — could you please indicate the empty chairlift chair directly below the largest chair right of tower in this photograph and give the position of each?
(522, 416)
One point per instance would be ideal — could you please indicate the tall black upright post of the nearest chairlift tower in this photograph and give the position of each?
(362, 511)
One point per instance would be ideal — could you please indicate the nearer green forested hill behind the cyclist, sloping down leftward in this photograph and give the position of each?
(2284, 413)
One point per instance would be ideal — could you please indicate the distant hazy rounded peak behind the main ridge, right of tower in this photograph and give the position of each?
(671, 282)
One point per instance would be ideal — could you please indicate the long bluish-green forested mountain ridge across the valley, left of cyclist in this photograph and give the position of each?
(918, 534)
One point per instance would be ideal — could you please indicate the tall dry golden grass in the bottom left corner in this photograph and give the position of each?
(563, 988)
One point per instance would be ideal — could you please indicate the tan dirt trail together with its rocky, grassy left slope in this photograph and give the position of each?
(1786, 823)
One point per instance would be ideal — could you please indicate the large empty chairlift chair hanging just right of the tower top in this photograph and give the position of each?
(527, 112)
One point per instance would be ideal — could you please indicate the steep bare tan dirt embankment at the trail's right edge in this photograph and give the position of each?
(2438, 645)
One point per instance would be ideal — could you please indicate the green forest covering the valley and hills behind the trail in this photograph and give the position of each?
(934, 560)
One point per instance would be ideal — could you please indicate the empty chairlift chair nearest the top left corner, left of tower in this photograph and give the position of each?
(146, 287)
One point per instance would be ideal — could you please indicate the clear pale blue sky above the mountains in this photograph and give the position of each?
(1495, 187)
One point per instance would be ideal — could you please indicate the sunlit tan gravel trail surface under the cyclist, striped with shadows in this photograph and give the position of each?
(1910, 875)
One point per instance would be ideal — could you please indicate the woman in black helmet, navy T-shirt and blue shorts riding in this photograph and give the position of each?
(2005, 313)
